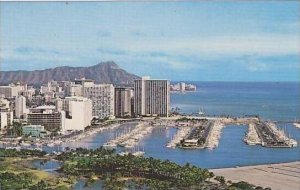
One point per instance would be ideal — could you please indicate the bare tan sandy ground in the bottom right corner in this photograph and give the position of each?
(284, 176)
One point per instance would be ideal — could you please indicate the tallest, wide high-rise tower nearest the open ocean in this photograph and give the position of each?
(151, 97)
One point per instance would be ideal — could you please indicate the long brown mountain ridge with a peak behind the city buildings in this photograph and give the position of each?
(103, 72)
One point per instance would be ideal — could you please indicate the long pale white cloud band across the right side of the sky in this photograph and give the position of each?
(224, 45)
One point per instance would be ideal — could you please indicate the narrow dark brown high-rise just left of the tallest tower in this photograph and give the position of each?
(123, 98)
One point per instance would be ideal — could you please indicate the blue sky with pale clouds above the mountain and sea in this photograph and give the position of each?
(200, 41)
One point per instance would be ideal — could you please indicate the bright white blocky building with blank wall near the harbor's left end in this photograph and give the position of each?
(77, 111)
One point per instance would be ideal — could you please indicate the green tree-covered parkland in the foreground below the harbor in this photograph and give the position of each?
(115, 172)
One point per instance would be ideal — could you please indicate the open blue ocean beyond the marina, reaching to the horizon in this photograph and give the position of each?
(271, 100)
